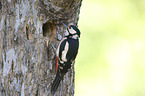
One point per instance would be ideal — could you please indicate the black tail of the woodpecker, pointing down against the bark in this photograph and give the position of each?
(56, 82)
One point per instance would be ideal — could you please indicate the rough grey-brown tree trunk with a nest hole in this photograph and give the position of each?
(27, 60)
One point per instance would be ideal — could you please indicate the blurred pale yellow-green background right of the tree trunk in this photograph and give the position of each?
(111, 59)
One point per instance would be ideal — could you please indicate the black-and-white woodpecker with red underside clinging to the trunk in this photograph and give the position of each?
(66, 54)
